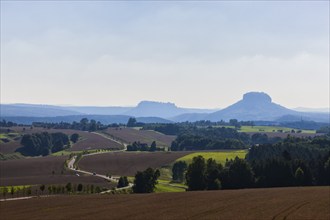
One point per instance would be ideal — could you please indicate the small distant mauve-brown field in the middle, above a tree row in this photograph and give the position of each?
(129, 135)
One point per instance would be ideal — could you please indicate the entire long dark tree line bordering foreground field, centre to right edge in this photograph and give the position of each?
(293, 162)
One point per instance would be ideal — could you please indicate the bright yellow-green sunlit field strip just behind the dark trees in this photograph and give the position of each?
(219, 156)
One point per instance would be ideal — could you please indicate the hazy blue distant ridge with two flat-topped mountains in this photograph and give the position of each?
(254, 106)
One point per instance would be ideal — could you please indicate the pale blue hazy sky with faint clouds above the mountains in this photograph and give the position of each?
(195, 54)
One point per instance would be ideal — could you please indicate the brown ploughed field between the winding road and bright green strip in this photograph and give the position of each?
(128, 163)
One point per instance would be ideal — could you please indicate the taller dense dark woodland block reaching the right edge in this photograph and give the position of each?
(295, 161)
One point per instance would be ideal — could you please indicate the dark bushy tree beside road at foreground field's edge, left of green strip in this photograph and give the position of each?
(145, 182)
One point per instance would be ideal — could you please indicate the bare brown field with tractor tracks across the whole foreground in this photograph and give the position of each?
(277, 203)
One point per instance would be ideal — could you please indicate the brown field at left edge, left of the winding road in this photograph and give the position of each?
(39, 171)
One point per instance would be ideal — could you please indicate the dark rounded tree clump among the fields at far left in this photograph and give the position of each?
(43, 143)
